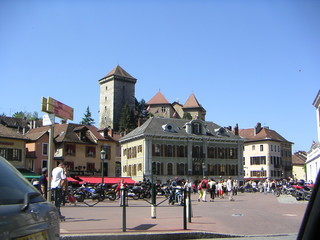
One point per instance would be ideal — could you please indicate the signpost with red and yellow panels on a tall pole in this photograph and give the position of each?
(53, 108)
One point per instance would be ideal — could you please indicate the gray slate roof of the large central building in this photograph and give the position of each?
(153, 126)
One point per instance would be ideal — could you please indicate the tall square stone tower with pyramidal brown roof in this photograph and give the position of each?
(117, 88)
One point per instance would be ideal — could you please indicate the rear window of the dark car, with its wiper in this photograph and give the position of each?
(13, 186)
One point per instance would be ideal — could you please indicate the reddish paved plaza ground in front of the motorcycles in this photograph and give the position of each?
(250, 214)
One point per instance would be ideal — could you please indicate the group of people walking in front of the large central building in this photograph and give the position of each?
(216, 189)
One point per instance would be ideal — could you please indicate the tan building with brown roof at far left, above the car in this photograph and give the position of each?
(13, 146)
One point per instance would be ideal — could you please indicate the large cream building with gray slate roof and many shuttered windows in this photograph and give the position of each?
(166, 148)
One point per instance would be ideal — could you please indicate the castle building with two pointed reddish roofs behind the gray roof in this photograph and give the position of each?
(159, 106)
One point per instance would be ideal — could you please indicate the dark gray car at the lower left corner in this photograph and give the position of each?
(25, 214)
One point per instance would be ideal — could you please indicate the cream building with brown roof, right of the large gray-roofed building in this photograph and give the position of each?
(266, 154)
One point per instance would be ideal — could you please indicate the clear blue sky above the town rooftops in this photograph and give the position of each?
(246, 61)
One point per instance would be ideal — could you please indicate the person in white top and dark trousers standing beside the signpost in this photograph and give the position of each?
(58, 180)
